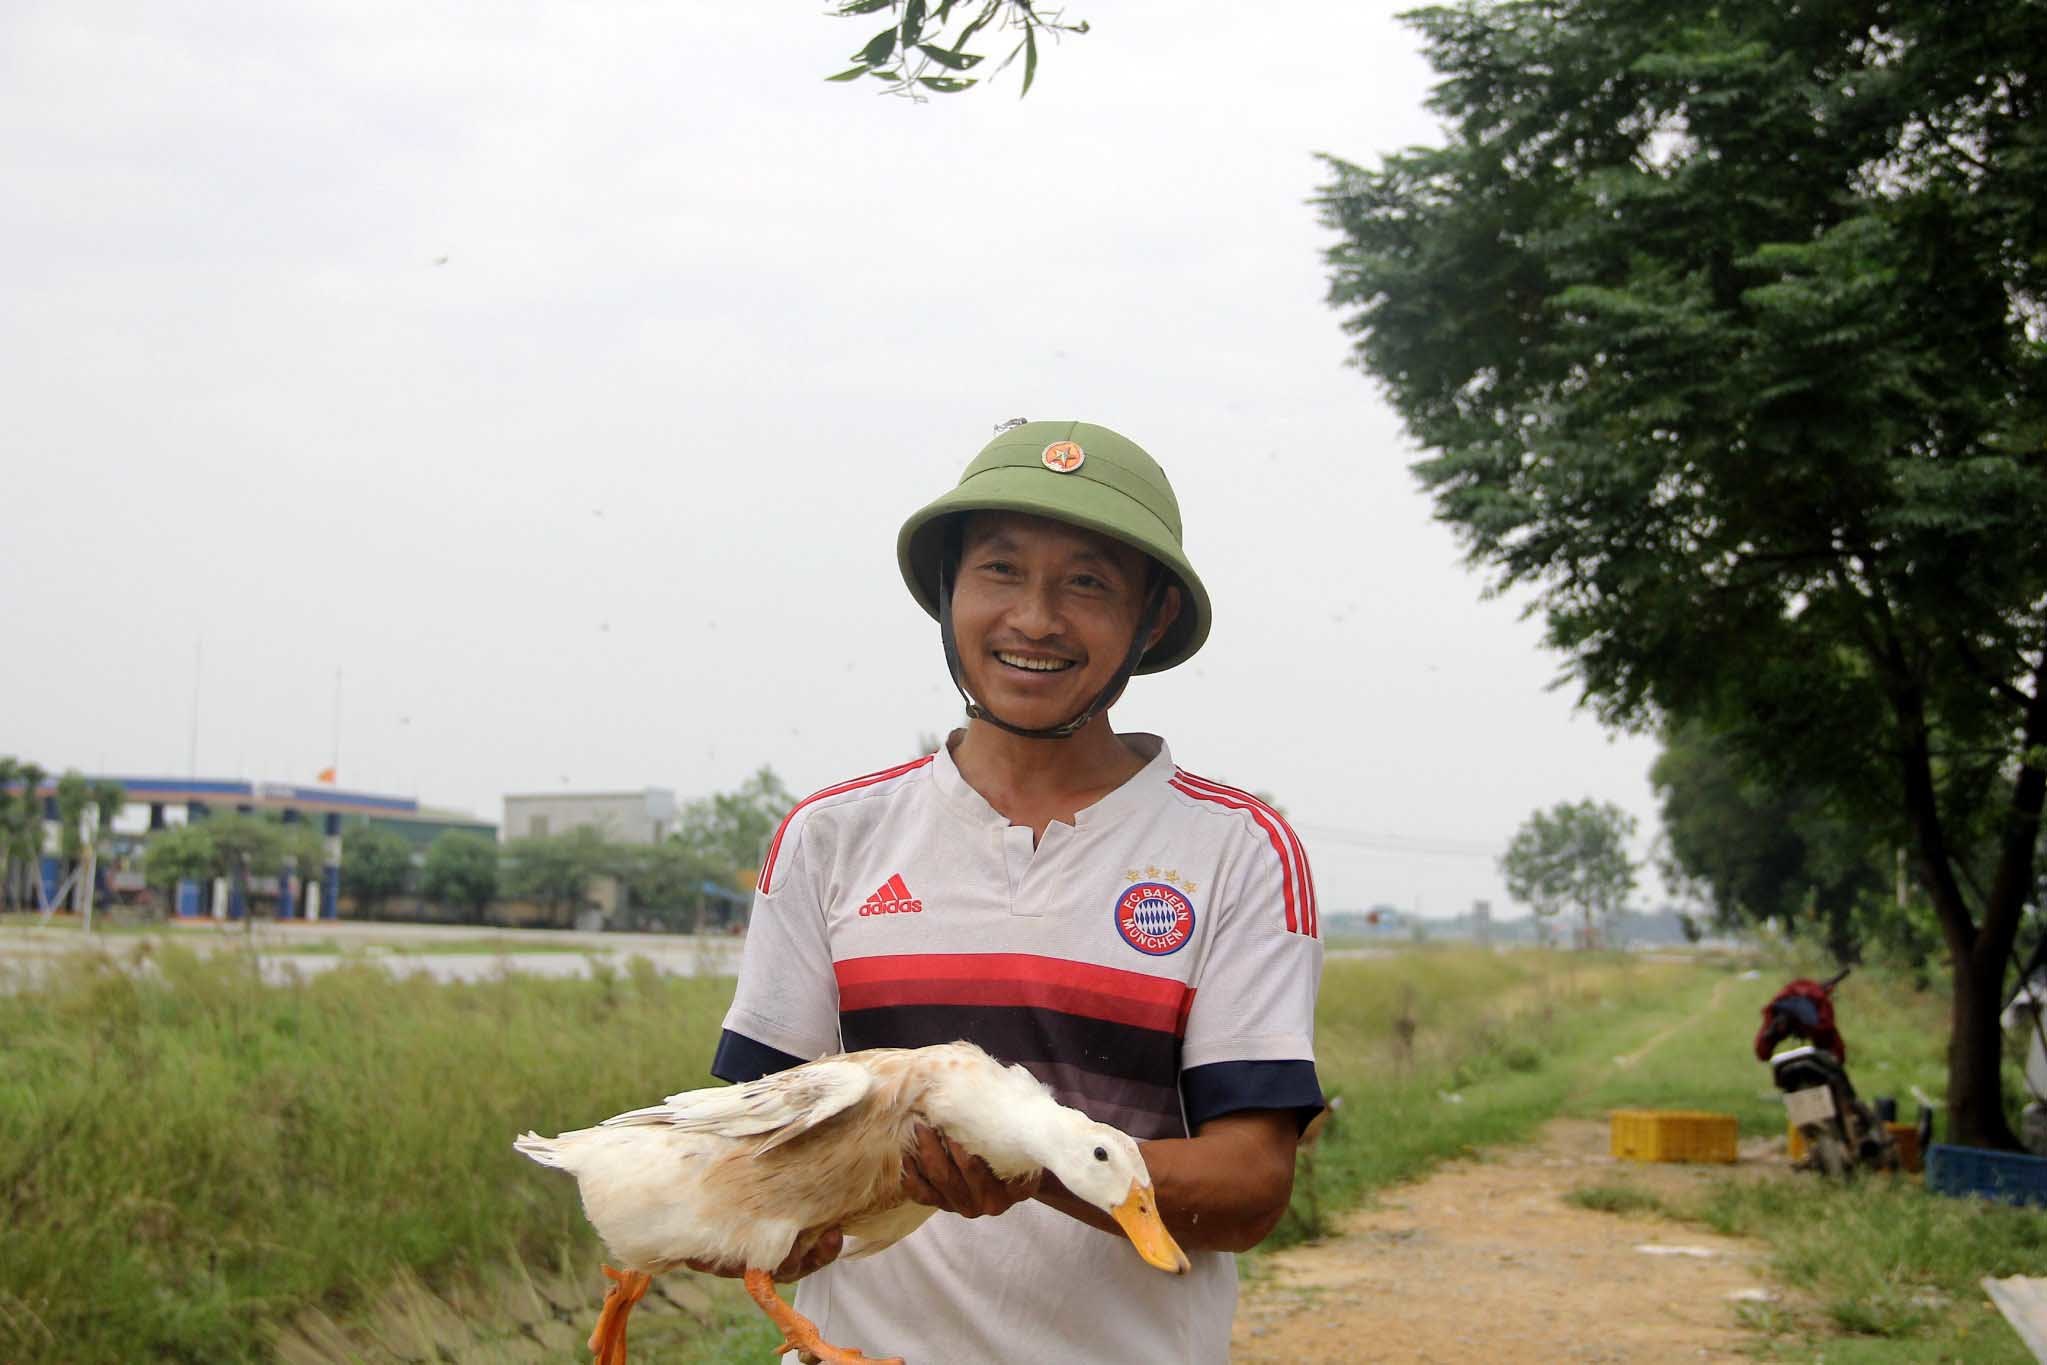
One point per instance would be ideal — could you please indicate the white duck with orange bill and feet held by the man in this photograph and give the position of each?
(734, 1176)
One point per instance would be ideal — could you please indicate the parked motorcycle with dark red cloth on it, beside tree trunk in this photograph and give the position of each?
(1841, 1133)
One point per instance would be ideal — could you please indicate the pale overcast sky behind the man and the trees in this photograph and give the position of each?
(562, 371)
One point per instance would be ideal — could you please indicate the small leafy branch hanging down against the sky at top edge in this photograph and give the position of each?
(926, 44)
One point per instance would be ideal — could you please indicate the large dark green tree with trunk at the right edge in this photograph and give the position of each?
(1727, 339)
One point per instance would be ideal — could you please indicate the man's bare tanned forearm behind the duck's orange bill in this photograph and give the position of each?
(1221, 1190)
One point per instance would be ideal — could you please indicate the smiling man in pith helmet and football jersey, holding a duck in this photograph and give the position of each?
(1137, 936)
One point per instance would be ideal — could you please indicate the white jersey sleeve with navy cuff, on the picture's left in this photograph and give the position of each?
(787, 1006)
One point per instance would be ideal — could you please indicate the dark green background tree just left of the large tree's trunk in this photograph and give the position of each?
(1759, 852)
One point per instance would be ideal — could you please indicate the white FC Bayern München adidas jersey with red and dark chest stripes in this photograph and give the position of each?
(1156, 965)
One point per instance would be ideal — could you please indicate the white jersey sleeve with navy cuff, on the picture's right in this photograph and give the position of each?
(1250, 1039)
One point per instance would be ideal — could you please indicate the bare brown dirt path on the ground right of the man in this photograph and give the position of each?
(1487, 1262)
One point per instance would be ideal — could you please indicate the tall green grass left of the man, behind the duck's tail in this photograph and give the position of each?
(187, 1155)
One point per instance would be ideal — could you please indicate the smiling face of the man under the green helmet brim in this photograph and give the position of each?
(1045, 613)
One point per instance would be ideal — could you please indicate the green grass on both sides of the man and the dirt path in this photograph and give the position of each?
(189, 1159)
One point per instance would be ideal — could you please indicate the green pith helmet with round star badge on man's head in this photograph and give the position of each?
(1084, 476)
